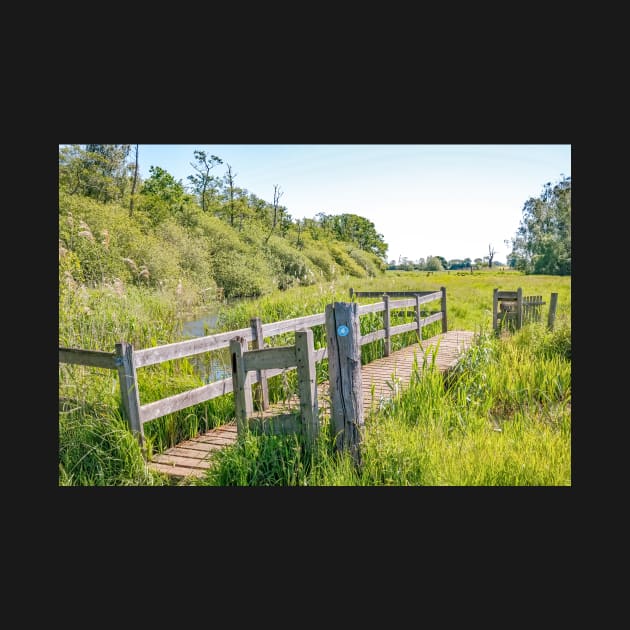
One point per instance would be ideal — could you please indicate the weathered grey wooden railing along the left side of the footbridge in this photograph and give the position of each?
(259, 364)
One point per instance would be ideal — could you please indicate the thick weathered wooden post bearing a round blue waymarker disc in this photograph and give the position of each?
(343, 336)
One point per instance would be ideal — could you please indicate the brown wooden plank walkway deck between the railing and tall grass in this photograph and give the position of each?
(381, 379)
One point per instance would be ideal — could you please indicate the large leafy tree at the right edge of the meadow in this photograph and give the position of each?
(542, 244)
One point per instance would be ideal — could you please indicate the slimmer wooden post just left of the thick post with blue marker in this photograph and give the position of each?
(307, 384)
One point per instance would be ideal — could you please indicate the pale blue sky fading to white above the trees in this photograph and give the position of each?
(454, 201)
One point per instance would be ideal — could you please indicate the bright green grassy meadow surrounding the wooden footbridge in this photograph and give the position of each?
(502, 418)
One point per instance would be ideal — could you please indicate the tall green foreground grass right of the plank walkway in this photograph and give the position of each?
(503, 418)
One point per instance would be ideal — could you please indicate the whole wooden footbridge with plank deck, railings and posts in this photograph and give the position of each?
(357, 390)
